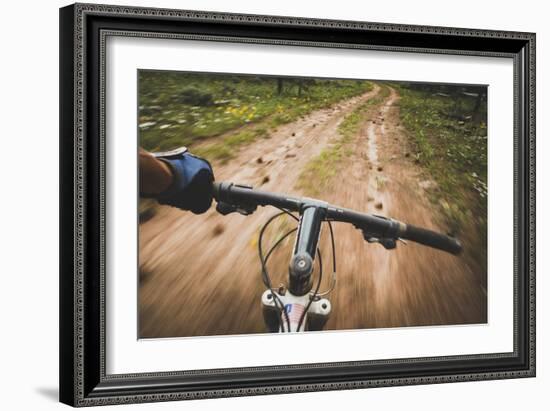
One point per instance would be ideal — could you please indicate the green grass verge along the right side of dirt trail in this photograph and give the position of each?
(453, 150)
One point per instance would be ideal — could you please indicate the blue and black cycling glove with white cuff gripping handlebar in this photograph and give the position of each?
(191, 188)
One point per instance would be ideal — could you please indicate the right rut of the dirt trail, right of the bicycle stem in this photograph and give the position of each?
(409, 286)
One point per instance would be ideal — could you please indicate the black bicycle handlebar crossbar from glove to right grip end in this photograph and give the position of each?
(245, 199)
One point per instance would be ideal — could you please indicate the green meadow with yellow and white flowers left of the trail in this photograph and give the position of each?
(218, 113)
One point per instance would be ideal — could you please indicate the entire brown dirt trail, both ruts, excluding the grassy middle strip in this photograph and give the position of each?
(200, 275)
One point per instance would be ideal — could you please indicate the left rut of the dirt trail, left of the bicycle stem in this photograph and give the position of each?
(199, 275)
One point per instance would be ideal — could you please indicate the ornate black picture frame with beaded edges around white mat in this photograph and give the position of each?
(83, 30)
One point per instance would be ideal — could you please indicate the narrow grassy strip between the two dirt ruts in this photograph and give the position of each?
(319, 172)
